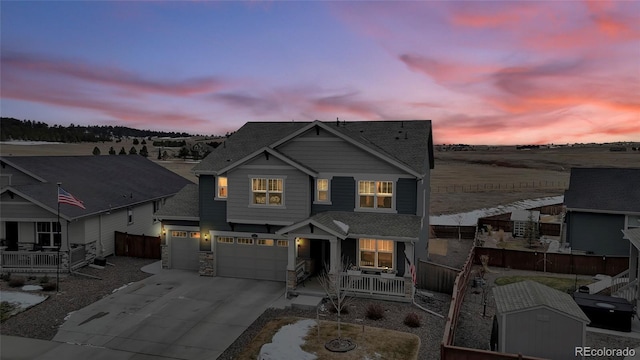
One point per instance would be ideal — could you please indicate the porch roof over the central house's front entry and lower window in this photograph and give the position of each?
(344, 224)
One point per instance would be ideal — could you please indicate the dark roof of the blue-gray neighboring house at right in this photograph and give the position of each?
(615, 190)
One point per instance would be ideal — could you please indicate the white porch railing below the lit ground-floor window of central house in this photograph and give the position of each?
(367, 284)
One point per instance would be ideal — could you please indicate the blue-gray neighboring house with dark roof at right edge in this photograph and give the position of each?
(600, 203)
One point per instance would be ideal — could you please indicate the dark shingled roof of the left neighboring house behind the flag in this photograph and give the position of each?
(103, 182)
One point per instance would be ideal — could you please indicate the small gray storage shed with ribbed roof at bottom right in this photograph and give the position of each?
(536, 320)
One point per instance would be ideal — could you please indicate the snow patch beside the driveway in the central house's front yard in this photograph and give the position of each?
(287, 341)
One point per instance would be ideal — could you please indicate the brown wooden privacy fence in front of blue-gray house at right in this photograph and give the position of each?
(554, 262)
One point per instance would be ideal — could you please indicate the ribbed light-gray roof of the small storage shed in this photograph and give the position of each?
(525, 295)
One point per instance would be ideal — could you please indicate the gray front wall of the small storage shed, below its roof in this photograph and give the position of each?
(543, 333)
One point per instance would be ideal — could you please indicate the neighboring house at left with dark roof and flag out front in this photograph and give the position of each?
(119, 193)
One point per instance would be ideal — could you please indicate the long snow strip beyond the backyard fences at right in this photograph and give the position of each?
(470, 218)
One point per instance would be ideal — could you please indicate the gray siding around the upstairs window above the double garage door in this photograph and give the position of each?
(297, 196)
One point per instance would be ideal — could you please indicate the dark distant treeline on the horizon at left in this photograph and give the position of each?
(14, 129)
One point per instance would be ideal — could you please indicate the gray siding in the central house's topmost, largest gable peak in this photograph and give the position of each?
(324, 152)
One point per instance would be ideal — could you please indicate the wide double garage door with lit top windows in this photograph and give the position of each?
(252, 259)
